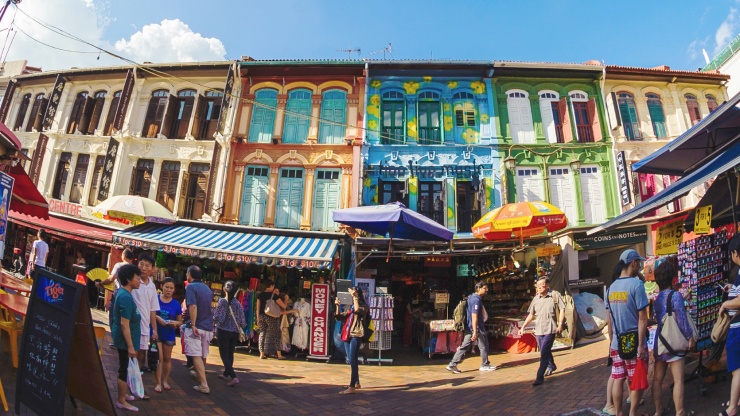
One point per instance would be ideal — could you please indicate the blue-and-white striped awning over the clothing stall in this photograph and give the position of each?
(227, 243)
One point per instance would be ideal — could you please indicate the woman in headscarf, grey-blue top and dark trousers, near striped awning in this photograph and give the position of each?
(230, 321)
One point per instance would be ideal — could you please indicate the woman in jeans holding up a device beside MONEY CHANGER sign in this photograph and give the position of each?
(353, 331)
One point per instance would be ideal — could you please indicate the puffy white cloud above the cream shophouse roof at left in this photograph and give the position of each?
(170, 41)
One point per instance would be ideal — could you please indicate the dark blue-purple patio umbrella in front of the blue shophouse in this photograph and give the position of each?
(394, 220)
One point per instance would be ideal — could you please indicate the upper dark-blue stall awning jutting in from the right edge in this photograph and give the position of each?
(699, 144)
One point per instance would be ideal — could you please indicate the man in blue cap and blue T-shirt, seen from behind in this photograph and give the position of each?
(627, 304)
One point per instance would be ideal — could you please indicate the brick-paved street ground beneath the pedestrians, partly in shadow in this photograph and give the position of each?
(412, 385)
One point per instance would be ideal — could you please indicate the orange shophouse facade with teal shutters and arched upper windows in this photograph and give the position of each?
(295, 150)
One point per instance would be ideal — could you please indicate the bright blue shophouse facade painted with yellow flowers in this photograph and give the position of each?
(429, 131)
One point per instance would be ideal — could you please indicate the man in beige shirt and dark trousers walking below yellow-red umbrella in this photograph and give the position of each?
(545, 307)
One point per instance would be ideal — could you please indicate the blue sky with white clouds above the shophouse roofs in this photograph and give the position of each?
(627, 32)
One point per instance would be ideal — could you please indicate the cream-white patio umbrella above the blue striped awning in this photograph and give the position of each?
(133, 210)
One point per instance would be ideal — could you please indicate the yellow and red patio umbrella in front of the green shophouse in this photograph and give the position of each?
(522, 219)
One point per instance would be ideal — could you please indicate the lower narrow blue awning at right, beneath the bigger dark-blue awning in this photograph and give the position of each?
(720, 164)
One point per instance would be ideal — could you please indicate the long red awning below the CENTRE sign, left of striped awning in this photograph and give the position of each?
(86, 233)
